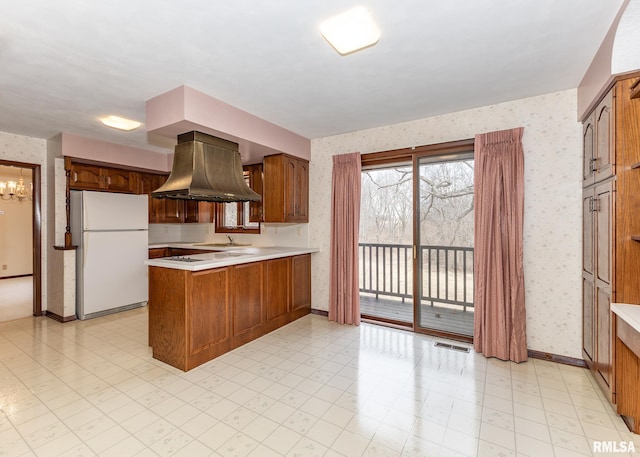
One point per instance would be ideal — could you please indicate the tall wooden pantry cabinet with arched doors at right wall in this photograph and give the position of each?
(611, 204)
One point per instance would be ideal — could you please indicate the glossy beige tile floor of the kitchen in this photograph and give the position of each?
(312, 388)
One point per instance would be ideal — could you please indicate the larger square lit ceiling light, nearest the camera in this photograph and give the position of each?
(350, 31)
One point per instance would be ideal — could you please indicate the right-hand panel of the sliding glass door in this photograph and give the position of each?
(443, 225)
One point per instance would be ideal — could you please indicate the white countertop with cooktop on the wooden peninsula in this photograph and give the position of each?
(223, 256)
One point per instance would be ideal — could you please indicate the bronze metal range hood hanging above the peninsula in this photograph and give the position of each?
(206, 168)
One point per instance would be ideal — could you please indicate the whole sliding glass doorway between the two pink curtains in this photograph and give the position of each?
(416, 240)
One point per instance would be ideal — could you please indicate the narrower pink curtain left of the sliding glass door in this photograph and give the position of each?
(344, 296)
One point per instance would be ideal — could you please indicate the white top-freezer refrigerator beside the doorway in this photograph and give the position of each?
(111, 232)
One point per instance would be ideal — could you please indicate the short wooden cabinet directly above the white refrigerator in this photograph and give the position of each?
(94, 177)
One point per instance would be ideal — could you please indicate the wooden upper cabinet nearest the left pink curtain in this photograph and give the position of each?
(286, 189)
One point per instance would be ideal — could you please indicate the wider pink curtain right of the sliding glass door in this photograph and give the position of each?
(499, 279)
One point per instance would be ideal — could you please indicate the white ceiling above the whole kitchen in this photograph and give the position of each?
(65, 63)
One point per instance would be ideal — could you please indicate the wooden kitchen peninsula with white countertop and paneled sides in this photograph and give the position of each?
(203, 305)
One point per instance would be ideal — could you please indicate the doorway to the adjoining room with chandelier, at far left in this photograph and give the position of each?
(20, 246)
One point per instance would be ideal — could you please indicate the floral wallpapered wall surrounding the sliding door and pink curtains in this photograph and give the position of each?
(553, 219)
